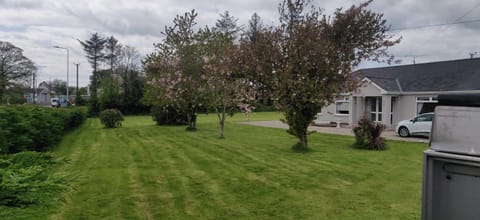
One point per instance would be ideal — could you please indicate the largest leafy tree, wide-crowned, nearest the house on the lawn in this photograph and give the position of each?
(316, 54)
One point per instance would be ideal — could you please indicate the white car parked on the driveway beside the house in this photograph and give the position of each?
(420, 125)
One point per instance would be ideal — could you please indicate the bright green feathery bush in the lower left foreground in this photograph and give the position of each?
(25, 179)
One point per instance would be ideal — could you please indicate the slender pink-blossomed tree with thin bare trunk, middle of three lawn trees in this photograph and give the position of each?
(225, 81)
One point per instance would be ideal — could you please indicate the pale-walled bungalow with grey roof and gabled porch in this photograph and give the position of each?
(391, 94)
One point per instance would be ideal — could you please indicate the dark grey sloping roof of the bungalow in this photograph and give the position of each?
(454, 75)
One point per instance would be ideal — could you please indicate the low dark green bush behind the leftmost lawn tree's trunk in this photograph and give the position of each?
(168, 116)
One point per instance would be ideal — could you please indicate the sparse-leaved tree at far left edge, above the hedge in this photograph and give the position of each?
(14, 67)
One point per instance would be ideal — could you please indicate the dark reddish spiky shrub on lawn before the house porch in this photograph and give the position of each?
(368, 134)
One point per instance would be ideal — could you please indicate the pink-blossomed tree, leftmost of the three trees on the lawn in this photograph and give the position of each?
(174, 70)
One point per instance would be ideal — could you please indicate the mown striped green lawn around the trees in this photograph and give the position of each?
(144, 171)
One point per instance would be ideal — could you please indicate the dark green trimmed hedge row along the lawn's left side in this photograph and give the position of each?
(32, 128)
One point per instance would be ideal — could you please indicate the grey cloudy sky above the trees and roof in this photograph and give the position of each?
(37, 25)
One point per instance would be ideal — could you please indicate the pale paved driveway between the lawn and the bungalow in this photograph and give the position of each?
(391, 135)
